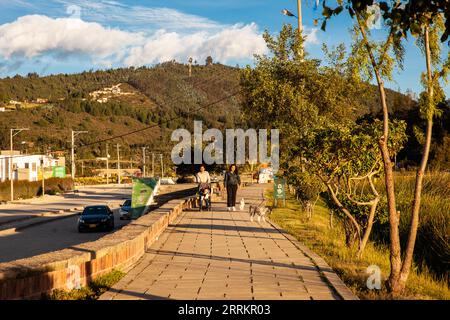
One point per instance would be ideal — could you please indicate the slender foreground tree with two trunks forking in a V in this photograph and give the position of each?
(425, 20)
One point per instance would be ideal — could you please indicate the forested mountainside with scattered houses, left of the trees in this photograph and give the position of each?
(164, 97)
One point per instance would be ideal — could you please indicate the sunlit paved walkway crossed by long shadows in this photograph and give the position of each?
(223, 255)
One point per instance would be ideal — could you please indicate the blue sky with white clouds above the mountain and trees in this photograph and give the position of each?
(69, 36)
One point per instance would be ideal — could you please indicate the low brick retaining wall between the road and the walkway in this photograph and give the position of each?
(34, 277)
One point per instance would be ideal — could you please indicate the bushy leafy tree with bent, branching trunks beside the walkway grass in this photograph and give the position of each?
(345, 158)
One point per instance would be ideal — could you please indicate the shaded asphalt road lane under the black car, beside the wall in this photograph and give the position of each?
(61, 234)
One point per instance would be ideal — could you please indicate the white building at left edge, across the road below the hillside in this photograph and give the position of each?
(25, 167)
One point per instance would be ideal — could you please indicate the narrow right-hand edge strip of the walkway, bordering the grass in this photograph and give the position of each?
(328, 273)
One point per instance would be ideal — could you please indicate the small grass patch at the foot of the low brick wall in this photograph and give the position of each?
(91, 292)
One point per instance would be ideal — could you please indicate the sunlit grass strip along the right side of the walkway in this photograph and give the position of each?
(330, 244)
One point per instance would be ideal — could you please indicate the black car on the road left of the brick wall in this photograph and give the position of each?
(96, 218)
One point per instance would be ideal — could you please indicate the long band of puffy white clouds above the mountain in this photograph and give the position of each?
(37, 35)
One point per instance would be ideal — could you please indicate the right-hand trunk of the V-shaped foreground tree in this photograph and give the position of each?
(406, 267)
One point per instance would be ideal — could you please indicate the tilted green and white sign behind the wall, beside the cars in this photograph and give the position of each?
(142, 195)
